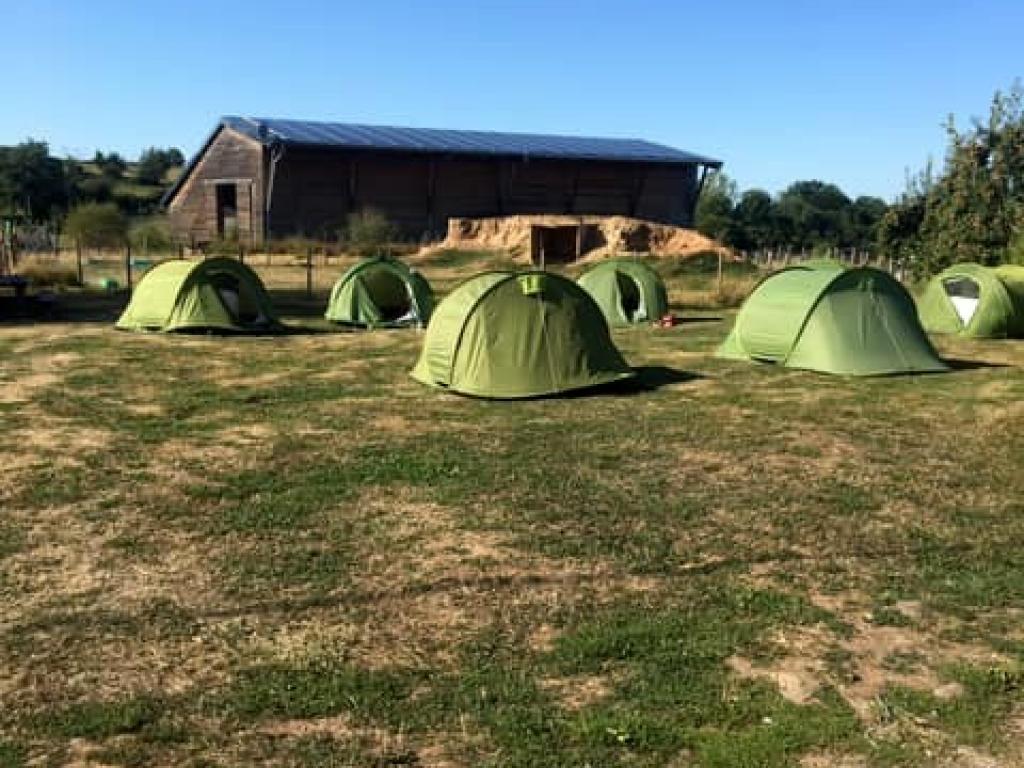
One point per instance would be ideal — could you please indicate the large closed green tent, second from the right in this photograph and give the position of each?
(848, 322)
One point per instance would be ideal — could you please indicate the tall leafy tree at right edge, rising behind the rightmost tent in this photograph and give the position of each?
(974, 209)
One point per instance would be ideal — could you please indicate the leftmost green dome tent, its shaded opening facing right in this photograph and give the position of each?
(212, 295)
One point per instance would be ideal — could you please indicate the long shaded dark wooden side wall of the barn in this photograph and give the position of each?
(315, 191)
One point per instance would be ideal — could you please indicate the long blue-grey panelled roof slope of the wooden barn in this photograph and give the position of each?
(308, 134)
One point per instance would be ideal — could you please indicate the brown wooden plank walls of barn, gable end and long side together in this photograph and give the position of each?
(316, 189)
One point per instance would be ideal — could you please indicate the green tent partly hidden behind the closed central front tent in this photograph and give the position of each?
(627, 291)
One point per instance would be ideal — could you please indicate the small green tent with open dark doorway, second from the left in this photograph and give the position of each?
(381, 292)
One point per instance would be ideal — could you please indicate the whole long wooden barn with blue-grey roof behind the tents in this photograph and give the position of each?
(258, 180)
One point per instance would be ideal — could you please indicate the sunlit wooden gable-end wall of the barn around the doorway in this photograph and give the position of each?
(193, 214)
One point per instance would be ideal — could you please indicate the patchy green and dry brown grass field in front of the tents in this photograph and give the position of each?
(284, 551)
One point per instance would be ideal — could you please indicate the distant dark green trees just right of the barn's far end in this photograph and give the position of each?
(806, 215)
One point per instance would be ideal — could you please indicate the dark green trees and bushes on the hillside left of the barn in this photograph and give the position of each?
(42, 188)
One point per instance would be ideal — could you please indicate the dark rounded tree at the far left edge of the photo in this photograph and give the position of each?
(32, 183)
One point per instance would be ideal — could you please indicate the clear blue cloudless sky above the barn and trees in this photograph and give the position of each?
(851, 92)
